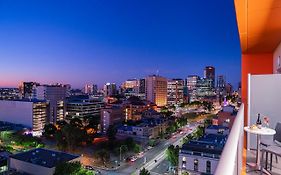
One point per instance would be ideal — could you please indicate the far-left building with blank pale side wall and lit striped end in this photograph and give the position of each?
(30, 113)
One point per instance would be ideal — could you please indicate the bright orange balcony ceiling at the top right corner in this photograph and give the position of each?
(259, 24)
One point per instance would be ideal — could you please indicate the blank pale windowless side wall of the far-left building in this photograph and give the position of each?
(18, 112)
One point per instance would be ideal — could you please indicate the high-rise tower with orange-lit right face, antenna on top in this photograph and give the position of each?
(156, 90)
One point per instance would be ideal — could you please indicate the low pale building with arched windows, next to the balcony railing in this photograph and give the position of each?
(201, 156)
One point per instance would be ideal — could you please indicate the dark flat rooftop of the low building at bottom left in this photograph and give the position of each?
(44, 157)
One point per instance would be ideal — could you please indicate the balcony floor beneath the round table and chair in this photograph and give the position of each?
(276, 167)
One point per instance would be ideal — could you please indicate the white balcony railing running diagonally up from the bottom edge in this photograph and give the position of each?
(232, 156)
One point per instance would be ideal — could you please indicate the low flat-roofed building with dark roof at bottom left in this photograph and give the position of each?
(39, 161)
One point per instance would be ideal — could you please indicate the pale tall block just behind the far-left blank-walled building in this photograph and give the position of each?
(56, 95)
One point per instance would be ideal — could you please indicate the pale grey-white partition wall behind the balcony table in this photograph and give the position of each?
(264, 98)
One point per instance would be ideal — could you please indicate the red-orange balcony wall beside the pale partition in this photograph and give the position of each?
(254, 64)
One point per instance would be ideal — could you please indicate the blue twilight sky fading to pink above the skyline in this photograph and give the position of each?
(97, 41)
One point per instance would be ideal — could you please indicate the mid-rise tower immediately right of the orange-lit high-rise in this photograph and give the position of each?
(175, 91)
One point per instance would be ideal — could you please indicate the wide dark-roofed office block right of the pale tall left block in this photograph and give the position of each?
(83, 107)
